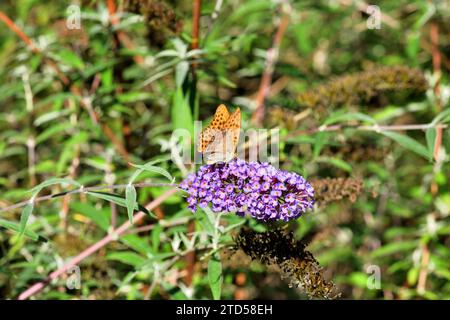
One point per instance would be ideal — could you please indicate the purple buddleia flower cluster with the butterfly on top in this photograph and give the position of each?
(258, 189)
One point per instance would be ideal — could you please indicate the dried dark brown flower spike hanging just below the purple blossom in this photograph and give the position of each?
(279, 247)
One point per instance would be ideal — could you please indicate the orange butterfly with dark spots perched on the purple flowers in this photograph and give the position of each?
(218, 141)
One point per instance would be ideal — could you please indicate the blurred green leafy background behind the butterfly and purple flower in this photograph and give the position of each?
(83, 104)
